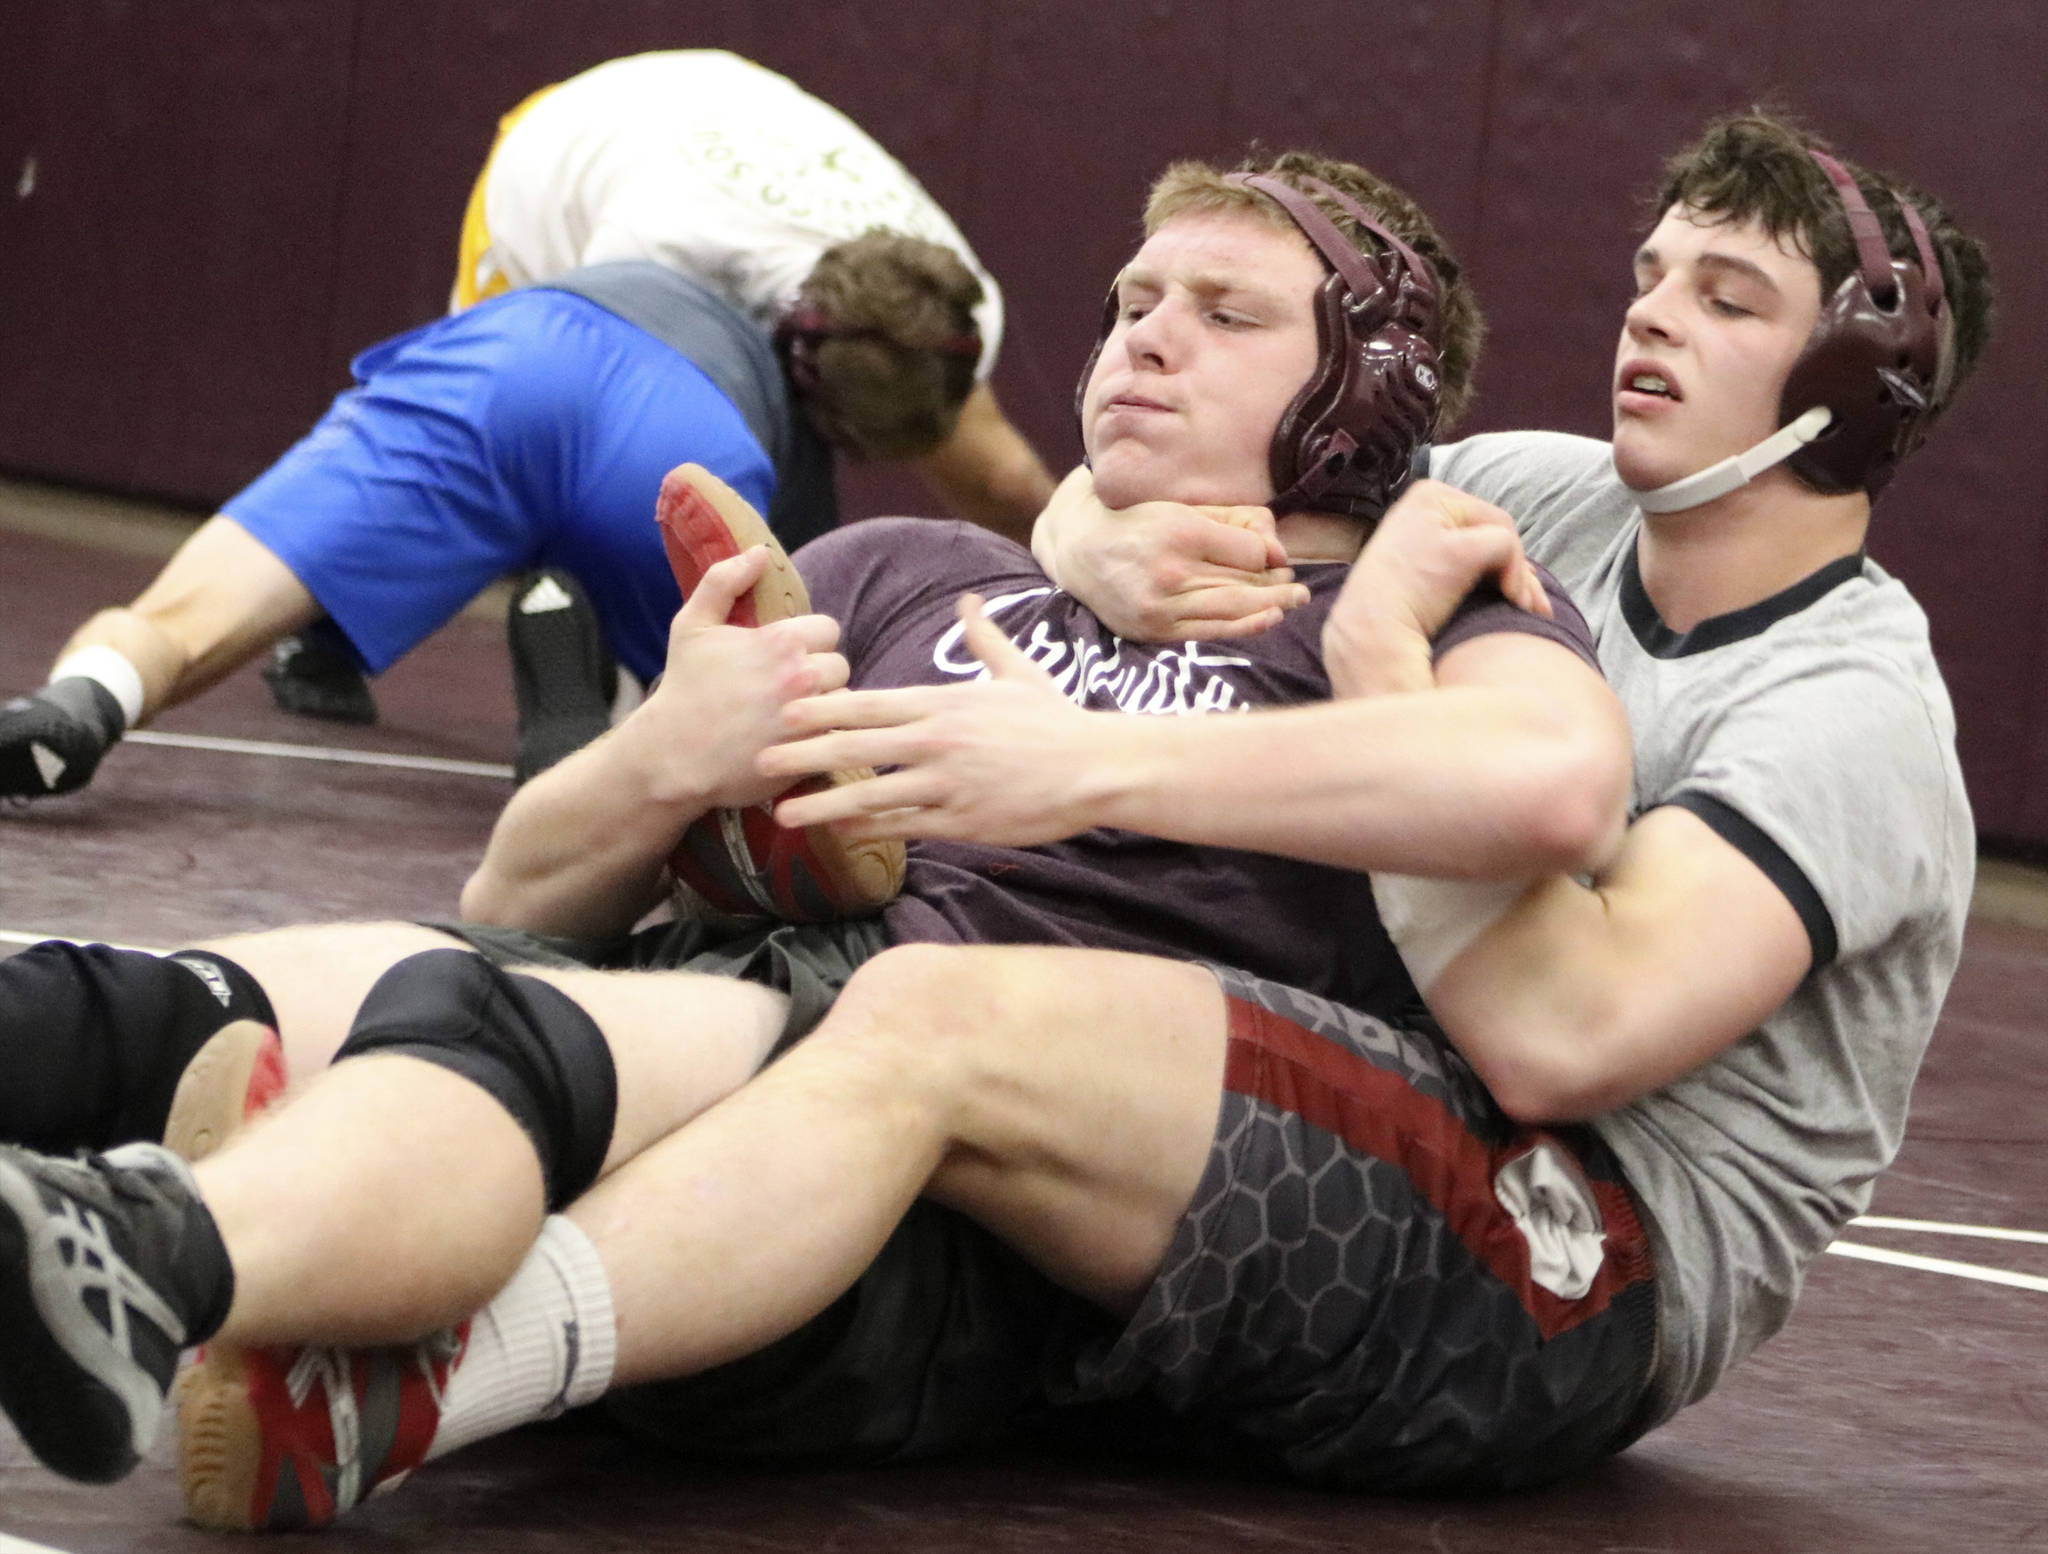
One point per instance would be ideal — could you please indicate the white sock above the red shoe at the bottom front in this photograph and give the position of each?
(544, 1346)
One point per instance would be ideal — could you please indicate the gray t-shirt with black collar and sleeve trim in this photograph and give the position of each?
(1814, 734)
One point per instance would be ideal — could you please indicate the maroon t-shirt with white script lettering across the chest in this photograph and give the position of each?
(892, 587)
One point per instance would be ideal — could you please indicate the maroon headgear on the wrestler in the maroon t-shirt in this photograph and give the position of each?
(1349, 439)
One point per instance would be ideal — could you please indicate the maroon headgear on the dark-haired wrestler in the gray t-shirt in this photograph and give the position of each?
(1879, 359)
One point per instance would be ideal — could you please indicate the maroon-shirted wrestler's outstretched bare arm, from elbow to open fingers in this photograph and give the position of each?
(1514, 765)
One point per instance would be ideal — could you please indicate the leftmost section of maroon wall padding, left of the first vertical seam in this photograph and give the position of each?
(169, 191)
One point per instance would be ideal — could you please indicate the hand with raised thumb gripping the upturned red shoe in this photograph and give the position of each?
(724, 691)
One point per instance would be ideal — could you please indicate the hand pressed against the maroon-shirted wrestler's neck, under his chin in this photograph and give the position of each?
(1160, 572)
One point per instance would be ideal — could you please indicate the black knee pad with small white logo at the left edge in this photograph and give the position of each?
(93, 1039)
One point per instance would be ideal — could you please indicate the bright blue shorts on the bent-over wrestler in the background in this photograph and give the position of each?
(531, 431)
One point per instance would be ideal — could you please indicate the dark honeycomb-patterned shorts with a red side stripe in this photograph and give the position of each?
(1383, 1283)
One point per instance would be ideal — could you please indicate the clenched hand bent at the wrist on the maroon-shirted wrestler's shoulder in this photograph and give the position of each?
(1431, 550)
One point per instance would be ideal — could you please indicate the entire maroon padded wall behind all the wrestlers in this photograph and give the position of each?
(232, 198)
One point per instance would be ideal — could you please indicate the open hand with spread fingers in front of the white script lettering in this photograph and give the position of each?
(1005, 761)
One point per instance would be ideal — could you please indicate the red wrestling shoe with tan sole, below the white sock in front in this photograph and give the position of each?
(275, 1440)
